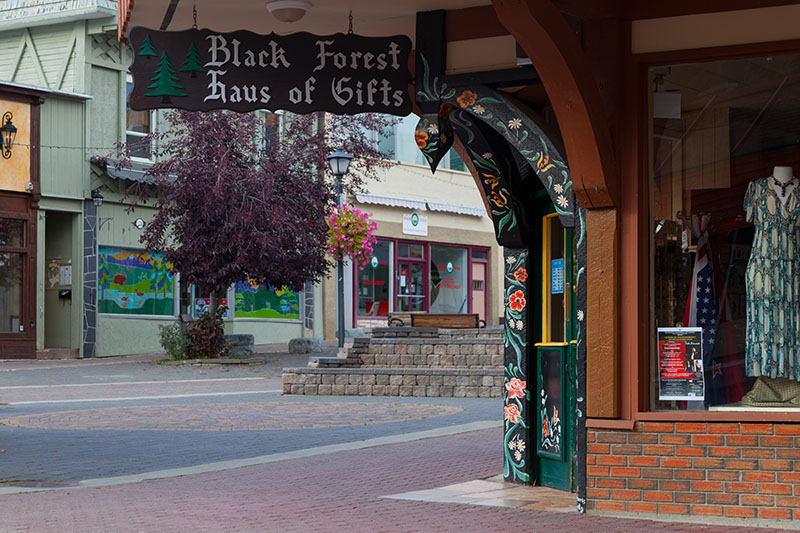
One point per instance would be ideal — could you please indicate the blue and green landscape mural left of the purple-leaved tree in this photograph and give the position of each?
(134, 283)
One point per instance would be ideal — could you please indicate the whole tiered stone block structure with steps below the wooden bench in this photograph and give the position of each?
(406, 361)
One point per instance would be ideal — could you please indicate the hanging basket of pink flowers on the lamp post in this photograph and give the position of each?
(351, 233)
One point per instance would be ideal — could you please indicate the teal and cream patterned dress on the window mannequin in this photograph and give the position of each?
(773, 283)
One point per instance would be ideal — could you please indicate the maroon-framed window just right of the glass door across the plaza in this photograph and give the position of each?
(448, 280)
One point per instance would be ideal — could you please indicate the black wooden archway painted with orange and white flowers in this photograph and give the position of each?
(506, 143)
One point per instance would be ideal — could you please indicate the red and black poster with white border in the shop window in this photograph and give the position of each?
(680, 364)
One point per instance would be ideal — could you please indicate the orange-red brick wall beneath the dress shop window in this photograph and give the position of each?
(696, 468)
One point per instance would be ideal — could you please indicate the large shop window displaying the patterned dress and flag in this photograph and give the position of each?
(725, 206)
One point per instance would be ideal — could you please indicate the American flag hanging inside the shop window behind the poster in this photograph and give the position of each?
(702, 310)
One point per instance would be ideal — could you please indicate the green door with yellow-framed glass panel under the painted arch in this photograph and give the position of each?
(555, 351)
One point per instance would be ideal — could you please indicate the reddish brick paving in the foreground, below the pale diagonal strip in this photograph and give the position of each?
(342, 492)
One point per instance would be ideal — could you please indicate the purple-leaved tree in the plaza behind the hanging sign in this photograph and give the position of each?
(236, 201)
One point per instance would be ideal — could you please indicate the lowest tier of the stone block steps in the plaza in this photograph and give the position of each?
(460, 383)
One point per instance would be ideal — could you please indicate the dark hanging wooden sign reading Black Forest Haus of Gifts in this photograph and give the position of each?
(200, 70)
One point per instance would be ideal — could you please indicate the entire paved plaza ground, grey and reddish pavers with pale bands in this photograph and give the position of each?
(111, 446)
